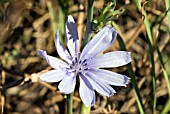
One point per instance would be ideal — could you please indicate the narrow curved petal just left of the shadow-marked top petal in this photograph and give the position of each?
(63, 53)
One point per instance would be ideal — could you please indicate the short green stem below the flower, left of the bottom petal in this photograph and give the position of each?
(70, 103)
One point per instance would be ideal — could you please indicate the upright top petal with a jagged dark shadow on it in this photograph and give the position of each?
(71, 36)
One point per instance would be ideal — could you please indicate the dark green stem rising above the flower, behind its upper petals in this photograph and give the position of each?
(89, 22)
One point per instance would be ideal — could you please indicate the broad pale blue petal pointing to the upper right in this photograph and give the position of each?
(101, 41)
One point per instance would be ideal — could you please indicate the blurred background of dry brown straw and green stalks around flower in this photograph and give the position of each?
(29, 25)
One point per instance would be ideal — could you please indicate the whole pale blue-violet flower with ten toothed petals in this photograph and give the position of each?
(86, 65)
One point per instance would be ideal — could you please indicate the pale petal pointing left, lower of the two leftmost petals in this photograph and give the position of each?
(53, 76)
